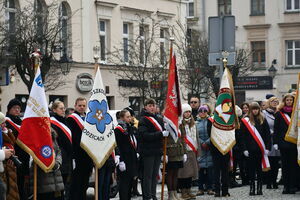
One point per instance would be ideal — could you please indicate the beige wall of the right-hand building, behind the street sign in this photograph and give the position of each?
(275, 32)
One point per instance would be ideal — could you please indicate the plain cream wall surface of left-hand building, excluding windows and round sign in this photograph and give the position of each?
(85, 36)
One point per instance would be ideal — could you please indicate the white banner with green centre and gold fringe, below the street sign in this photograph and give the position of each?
(223, 128)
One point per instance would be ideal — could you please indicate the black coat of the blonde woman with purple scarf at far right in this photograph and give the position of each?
(280, 129)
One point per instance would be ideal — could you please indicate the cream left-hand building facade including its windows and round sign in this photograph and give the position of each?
(107, 24)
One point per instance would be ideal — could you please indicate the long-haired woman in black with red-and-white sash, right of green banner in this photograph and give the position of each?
(255, 142)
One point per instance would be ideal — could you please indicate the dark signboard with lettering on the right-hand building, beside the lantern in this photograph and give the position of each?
(253, 83)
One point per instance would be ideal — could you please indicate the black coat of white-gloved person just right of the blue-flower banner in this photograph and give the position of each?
(127, 150)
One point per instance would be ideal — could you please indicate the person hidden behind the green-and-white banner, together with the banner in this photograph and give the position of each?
(222, 133)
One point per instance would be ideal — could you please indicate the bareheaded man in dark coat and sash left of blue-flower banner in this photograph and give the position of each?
(83, 163)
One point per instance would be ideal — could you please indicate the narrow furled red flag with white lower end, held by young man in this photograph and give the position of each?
(173, 102)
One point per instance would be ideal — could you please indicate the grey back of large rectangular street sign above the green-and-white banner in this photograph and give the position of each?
(221, 38)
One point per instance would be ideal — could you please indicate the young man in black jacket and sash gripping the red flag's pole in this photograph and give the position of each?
(151, 140)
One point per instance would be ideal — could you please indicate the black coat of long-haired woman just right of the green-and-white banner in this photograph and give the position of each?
(247, 141)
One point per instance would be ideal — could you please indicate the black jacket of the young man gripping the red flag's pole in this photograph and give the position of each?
(151, 139)
